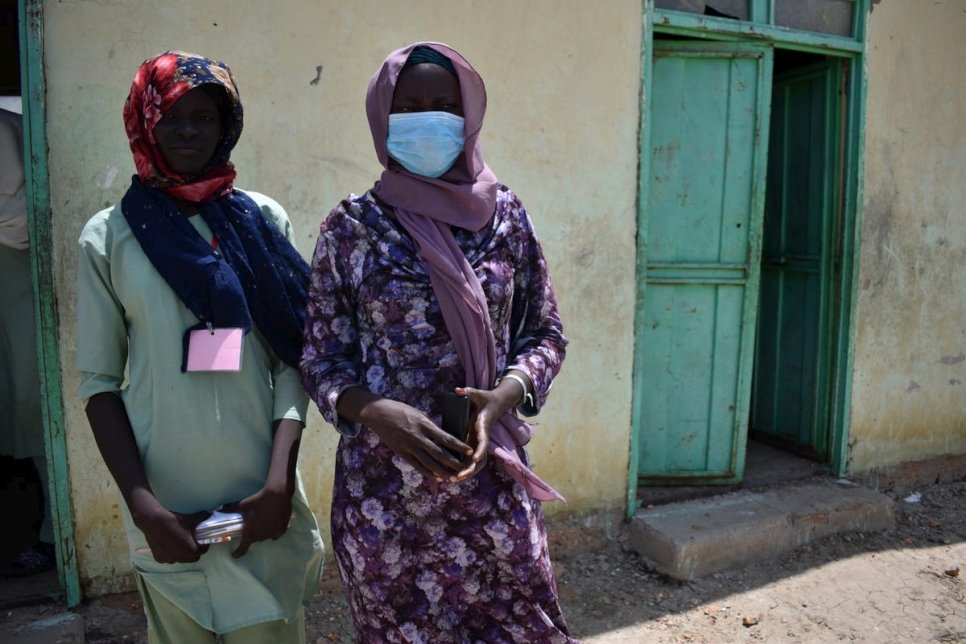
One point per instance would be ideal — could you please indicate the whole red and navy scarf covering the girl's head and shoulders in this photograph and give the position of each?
(256, 277)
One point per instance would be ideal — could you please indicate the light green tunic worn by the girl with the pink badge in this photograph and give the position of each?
(205, 438)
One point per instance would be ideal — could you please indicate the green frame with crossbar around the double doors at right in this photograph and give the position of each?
(762, 29)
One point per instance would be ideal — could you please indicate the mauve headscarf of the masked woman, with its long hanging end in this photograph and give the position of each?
(465, 196)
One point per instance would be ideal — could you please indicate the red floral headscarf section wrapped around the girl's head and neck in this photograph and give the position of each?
(158, 84)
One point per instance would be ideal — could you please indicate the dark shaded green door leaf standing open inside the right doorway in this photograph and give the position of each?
(794, 354)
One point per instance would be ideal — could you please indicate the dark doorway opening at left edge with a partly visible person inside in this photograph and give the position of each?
(29, 557)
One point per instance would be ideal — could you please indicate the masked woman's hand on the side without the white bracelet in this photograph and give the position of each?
(415, 438)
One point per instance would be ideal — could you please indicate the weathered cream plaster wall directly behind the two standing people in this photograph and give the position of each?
(563, 79)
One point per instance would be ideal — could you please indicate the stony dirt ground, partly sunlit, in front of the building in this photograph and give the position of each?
(906, 585)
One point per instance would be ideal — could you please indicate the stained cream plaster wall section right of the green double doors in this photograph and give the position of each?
(909, 387)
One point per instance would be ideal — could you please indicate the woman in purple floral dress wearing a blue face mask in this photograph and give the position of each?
(432, 282)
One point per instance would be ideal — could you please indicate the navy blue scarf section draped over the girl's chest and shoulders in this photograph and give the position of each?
(257, 277)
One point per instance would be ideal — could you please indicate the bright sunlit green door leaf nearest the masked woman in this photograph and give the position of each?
(701, 222)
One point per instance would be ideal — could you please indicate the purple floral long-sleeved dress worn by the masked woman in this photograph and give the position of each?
(423, 561)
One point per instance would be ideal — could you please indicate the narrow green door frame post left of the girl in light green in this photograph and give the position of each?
(34, 92)
